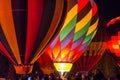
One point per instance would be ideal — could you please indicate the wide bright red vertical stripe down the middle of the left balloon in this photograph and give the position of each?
(35, 8)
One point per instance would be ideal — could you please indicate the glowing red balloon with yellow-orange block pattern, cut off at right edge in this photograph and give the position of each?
(113, 27)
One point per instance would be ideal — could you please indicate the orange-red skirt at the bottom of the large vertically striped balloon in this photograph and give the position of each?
(23, 69)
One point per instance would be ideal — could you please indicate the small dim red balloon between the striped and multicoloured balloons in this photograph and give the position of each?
(46, 64)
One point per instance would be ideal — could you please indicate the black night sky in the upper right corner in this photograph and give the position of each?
(108, 9)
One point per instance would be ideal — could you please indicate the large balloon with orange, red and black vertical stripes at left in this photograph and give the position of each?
(27, 27)
